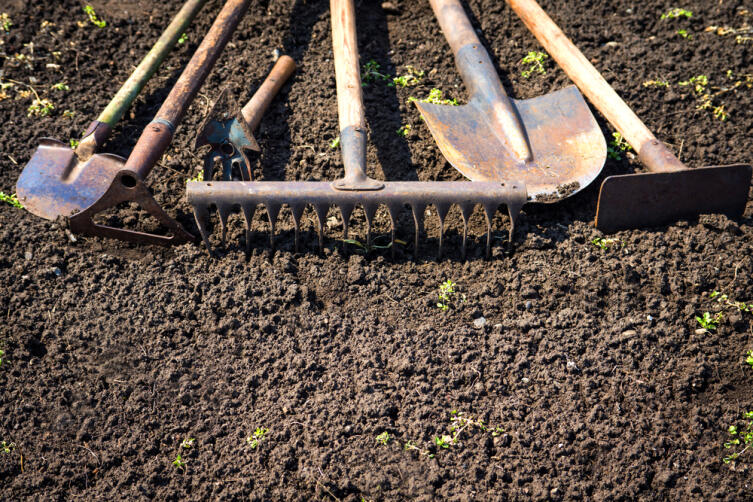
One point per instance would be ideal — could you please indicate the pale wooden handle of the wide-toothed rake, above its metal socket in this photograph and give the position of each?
(347, 71)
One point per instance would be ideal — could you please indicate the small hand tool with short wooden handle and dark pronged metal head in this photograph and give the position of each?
(229, 132)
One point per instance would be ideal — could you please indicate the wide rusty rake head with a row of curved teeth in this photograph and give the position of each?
(227, 197)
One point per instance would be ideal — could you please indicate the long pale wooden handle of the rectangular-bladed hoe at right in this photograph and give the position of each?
(588, 79)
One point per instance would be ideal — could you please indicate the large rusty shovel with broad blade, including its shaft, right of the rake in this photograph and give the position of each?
(551, 143)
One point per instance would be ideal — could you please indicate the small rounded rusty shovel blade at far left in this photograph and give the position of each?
(55, 183)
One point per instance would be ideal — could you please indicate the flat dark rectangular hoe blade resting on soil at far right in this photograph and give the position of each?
(653, 199)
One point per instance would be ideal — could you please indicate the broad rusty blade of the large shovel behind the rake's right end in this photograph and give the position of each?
(567, 144)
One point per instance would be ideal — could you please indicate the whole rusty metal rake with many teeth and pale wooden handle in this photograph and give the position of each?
(355, 188)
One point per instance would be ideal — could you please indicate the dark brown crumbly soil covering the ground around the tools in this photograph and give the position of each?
(589, 359)
